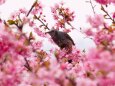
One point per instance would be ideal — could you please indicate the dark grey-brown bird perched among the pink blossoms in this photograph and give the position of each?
(62, 39)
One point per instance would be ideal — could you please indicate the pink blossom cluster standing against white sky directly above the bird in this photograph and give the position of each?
(62, 15)
